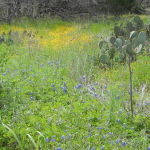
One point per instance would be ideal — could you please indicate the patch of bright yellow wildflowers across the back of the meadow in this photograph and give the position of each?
(62, 36)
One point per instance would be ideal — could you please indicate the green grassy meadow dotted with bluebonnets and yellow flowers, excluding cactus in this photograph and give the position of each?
(52, 97)
